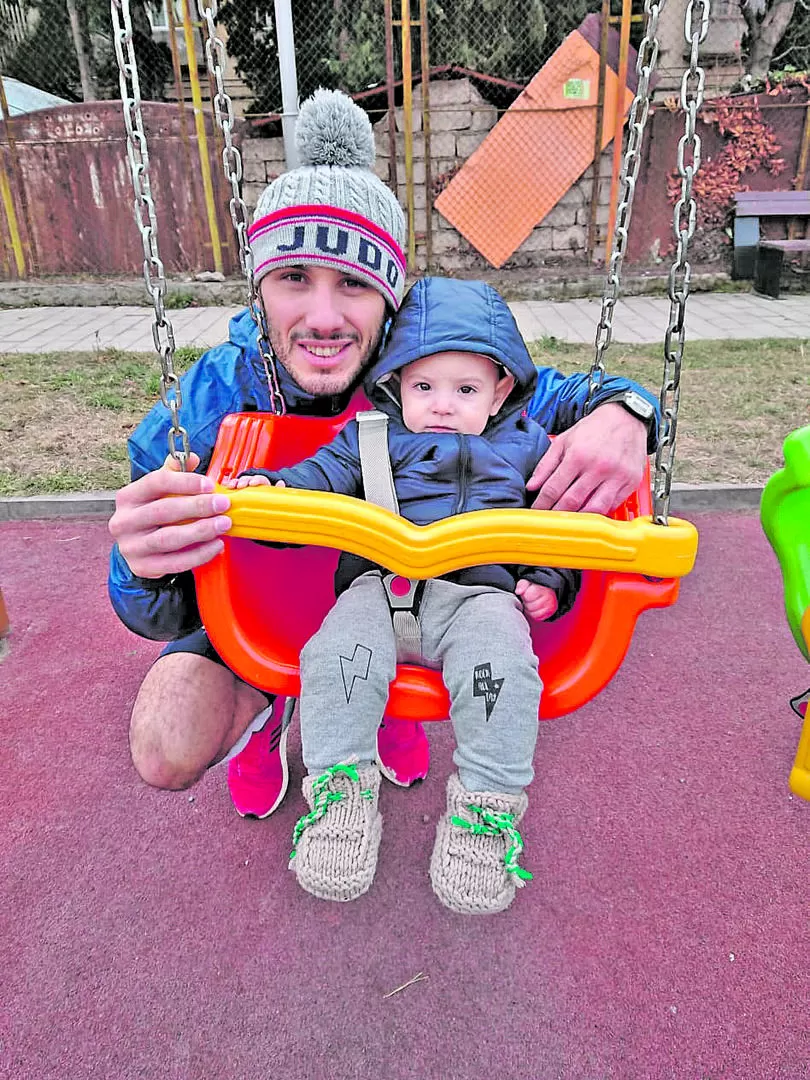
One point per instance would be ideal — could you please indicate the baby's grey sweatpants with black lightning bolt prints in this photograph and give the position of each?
(478, 637)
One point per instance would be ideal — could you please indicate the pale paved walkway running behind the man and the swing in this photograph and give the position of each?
(639, 319)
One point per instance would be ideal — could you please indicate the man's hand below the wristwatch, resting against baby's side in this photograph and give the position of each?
(595, 466)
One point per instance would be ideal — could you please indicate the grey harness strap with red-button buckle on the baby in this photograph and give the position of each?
(379, 488)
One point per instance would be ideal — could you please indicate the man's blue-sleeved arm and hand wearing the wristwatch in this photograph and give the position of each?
(598, 460)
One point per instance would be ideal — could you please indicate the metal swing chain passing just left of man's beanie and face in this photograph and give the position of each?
(233, 165)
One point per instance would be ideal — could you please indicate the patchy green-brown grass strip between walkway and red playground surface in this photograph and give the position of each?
(65, 417)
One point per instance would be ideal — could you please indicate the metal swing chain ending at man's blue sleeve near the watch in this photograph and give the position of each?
(637, 123)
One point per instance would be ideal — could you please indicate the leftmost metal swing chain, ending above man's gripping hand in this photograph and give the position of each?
(138, 155)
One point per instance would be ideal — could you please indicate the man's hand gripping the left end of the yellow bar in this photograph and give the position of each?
(159, 535)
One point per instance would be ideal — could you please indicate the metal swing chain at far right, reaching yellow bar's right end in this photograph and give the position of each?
(696, 28)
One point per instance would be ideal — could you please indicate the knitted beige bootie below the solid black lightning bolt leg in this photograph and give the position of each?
(475, 865)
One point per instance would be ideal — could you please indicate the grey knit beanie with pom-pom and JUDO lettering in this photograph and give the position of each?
(333, 211)
